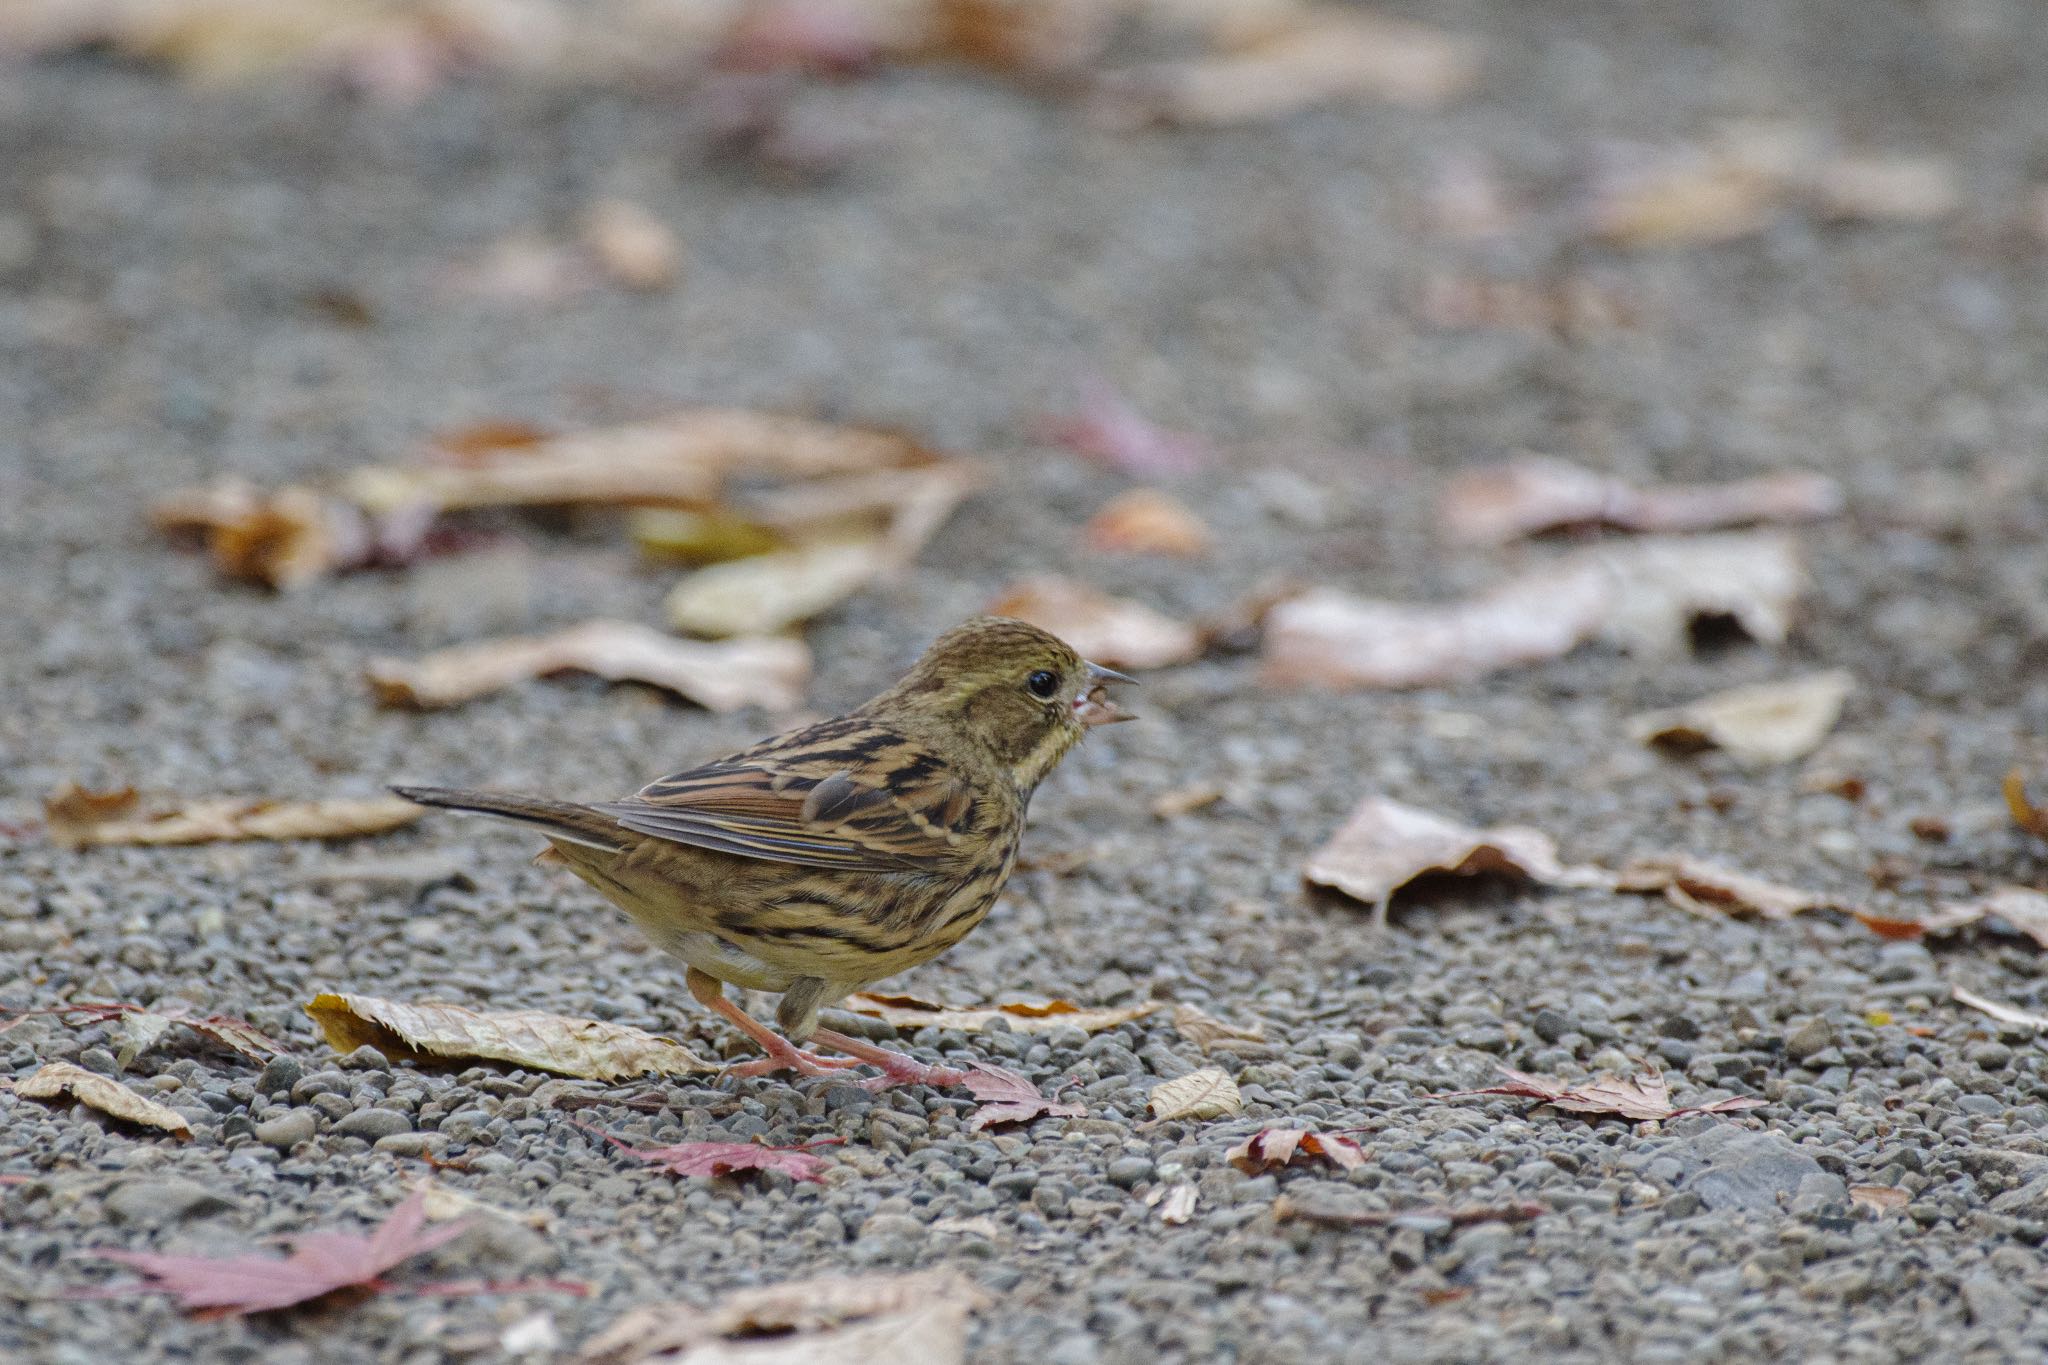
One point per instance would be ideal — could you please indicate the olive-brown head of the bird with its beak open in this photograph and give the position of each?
(1015, 691)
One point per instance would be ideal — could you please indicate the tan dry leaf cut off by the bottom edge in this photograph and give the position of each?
(826, 1321)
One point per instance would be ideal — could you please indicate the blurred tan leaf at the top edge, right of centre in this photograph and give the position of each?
(1320, 54)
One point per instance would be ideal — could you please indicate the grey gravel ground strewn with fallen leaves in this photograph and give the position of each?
(1258, 288)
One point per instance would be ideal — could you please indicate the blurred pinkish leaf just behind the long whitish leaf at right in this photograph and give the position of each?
(1533, 494)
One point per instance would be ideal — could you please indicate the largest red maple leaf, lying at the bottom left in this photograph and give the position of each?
(318, 1266)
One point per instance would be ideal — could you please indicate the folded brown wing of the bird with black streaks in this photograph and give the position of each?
(898, 811)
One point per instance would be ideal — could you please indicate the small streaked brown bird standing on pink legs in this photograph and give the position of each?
(837, 854)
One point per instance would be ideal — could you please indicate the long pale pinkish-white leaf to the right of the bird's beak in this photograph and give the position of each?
(1641, 597)
